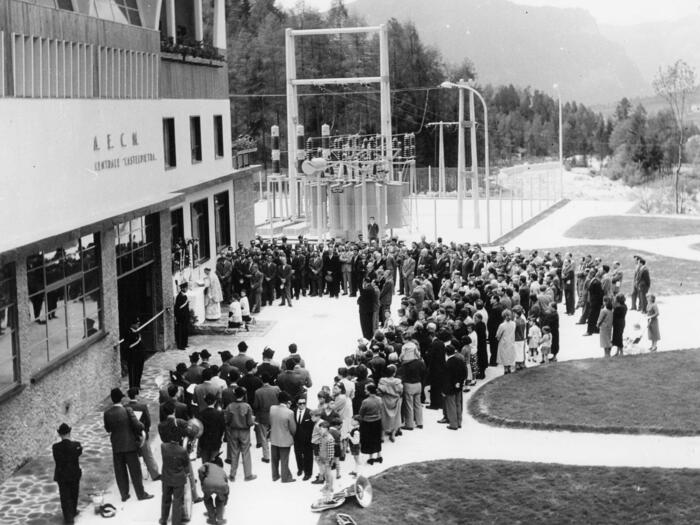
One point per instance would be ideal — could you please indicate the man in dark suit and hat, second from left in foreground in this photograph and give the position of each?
(123, 427)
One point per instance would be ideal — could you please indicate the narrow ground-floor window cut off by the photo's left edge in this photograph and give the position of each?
(9, 354)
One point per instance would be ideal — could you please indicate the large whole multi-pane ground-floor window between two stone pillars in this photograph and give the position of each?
(66, 299)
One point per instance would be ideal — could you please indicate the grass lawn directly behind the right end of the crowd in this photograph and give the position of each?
(669, 275)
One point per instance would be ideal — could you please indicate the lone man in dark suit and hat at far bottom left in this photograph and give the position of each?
(67, 473)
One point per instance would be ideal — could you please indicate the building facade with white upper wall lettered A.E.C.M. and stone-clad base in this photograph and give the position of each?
(116, 169)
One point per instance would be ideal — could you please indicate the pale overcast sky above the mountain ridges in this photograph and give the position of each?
(620, 12)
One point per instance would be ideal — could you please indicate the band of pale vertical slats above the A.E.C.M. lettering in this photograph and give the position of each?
(51, 68)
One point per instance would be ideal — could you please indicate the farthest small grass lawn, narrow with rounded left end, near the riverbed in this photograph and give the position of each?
(632, 227)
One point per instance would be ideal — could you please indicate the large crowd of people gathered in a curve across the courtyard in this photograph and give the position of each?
(462, 310)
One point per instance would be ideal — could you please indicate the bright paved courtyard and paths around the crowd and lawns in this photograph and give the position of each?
(325, 330)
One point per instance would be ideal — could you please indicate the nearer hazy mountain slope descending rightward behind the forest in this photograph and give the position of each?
(522, 45)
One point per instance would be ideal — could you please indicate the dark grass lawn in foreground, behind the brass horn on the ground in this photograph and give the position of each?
(459, 491)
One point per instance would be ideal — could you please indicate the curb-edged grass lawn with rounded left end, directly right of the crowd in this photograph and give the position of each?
(647, 393)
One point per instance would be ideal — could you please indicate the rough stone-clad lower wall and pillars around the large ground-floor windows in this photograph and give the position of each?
(30, 417)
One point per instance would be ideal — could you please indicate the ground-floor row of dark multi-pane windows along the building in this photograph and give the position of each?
(65, 289)
